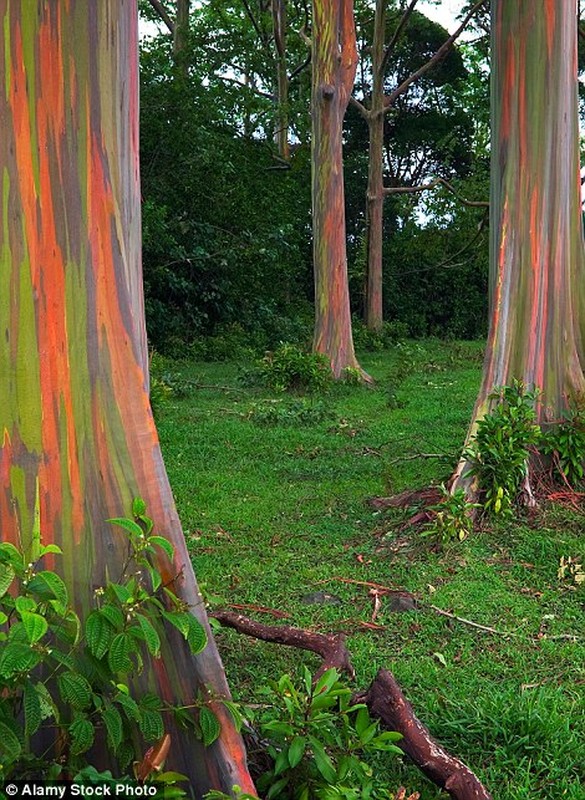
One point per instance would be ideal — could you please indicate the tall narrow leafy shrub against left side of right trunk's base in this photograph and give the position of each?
(499, 452)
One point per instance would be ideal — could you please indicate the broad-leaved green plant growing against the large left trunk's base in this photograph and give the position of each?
(71, 676)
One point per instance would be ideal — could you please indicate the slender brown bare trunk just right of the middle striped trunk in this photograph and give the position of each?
(375, 192)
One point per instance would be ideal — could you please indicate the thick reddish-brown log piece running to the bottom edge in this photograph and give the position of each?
(385, 700)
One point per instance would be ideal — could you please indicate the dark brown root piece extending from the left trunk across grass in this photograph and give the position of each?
(331, 647)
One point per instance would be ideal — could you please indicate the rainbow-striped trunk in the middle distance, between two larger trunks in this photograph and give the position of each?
(334, 59)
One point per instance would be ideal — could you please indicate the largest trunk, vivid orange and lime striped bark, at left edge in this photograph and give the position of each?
(78, 437)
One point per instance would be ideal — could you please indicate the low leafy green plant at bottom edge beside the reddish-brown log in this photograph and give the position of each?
(319, 740)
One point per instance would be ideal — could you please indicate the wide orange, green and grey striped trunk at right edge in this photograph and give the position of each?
(536, 248)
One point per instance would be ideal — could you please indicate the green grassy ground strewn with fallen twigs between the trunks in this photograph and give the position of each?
(275, 513)
